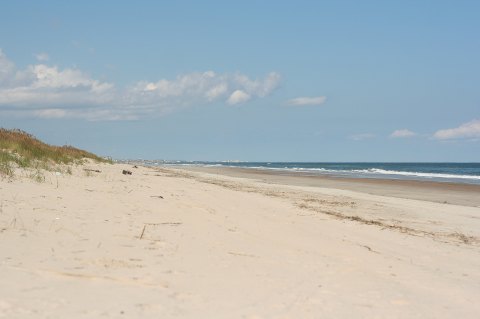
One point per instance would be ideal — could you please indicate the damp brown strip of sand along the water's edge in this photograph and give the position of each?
(439, 192)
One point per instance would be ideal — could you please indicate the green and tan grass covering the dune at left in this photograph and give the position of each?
(21, 149)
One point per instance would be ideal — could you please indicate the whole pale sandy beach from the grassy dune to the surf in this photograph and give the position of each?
(170, 243)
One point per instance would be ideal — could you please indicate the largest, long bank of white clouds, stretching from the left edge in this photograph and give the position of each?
(50, 92)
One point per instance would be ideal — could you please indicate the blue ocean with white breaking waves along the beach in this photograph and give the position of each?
(468, 173)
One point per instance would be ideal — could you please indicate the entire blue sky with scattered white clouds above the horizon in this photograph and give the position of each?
(246, 80)
